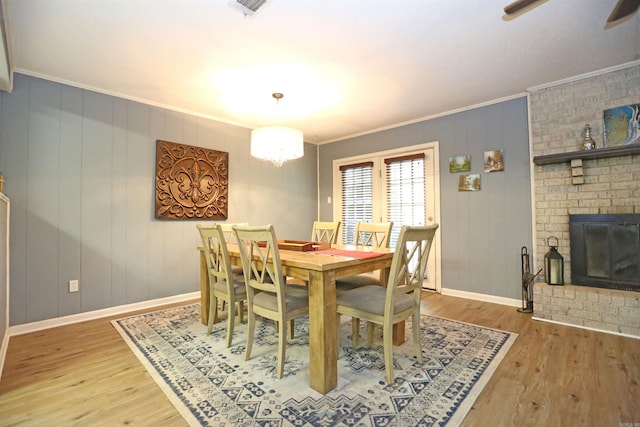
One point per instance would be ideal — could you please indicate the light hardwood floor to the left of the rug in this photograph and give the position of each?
(79, 375)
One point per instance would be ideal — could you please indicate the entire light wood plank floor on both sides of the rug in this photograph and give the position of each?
(85, 375)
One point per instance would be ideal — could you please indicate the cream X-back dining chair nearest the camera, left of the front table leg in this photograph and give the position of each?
(267, 294)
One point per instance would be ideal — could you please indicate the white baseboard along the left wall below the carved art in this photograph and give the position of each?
(96, 314)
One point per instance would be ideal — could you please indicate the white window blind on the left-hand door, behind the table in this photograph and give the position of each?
(357, 197)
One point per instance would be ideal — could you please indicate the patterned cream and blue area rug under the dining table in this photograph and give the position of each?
(212, 385)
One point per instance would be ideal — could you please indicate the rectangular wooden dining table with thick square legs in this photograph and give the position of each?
(319, 269)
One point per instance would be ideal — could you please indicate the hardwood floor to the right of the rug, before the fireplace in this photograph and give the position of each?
(553, 375)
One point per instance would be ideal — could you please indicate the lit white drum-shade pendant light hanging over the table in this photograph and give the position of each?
(277, 143)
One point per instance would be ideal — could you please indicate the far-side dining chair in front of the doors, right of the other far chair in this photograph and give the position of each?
(377, 234)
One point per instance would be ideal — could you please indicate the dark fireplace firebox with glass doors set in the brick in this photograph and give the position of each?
(605, 251)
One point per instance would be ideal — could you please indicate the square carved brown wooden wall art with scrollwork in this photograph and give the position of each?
(191, 182)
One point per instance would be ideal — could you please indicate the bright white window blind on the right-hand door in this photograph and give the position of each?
(405, 183)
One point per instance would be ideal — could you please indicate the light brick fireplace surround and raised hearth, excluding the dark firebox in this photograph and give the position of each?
(606, 185)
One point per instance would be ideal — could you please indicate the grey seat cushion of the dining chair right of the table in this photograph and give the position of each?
(371, 299)
